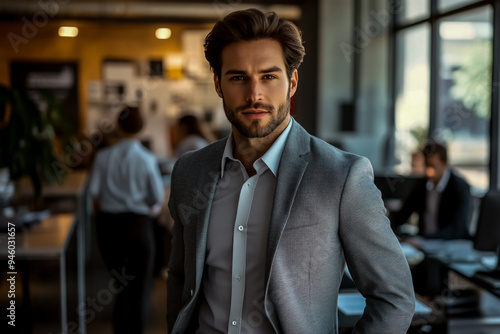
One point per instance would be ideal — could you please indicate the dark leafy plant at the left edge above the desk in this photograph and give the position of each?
(26, 139)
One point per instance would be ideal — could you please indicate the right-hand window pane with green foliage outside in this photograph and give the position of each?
(464, 97)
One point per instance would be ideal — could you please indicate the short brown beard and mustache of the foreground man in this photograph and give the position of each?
(255, 130)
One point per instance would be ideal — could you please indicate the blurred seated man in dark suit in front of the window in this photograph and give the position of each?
(442, 203)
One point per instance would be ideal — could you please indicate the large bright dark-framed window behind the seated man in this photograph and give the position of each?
(442, 77)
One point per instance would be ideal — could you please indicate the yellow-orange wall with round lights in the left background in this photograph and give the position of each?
(96, 41)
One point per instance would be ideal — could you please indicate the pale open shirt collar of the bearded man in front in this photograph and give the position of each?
(271, 158)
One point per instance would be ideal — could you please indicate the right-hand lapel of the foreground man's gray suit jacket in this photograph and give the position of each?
(292, 167)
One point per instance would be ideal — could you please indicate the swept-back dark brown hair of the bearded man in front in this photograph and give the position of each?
(252, 24)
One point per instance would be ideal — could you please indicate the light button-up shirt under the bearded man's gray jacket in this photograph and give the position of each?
(234, 279)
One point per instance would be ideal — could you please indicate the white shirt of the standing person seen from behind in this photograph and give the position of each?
(126, 178)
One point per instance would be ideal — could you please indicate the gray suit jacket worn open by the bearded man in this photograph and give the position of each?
(326, 212)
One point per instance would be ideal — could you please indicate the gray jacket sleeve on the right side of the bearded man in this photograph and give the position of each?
(374, 256)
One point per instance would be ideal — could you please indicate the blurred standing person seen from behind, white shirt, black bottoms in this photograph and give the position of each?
(127, 189)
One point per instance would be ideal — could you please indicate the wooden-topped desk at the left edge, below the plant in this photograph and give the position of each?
(46, 240)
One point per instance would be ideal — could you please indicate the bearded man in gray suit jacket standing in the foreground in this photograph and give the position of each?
(267, 218)
